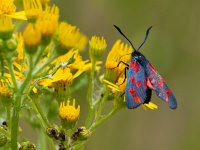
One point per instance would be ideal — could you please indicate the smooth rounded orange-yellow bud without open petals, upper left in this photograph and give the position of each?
(32, 37)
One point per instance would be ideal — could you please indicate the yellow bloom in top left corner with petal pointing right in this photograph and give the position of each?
(8, 8)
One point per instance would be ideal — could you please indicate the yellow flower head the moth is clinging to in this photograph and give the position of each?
(120, 52)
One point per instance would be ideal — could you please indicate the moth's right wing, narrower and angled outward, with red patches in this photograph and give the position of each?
(157, 83)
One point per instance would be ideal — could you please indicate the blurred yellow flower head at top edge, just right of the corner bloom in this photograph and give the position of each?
(33, 9)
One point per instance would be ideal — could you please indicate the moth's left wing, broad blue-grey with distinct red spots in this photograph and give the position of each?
(135, 92)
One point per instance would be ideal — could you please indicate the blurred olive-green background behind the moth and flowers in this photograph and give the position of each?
(173, 47)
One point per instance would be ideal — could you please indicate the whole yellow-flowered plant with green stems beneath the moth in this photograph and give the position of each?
(42, 70)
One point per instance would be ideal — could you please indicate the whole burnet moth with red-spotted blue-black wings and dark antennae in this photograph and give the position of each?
(142, 78)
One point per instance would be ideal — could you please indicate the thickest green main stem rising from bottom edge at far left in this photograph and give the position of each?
(17, 106)
